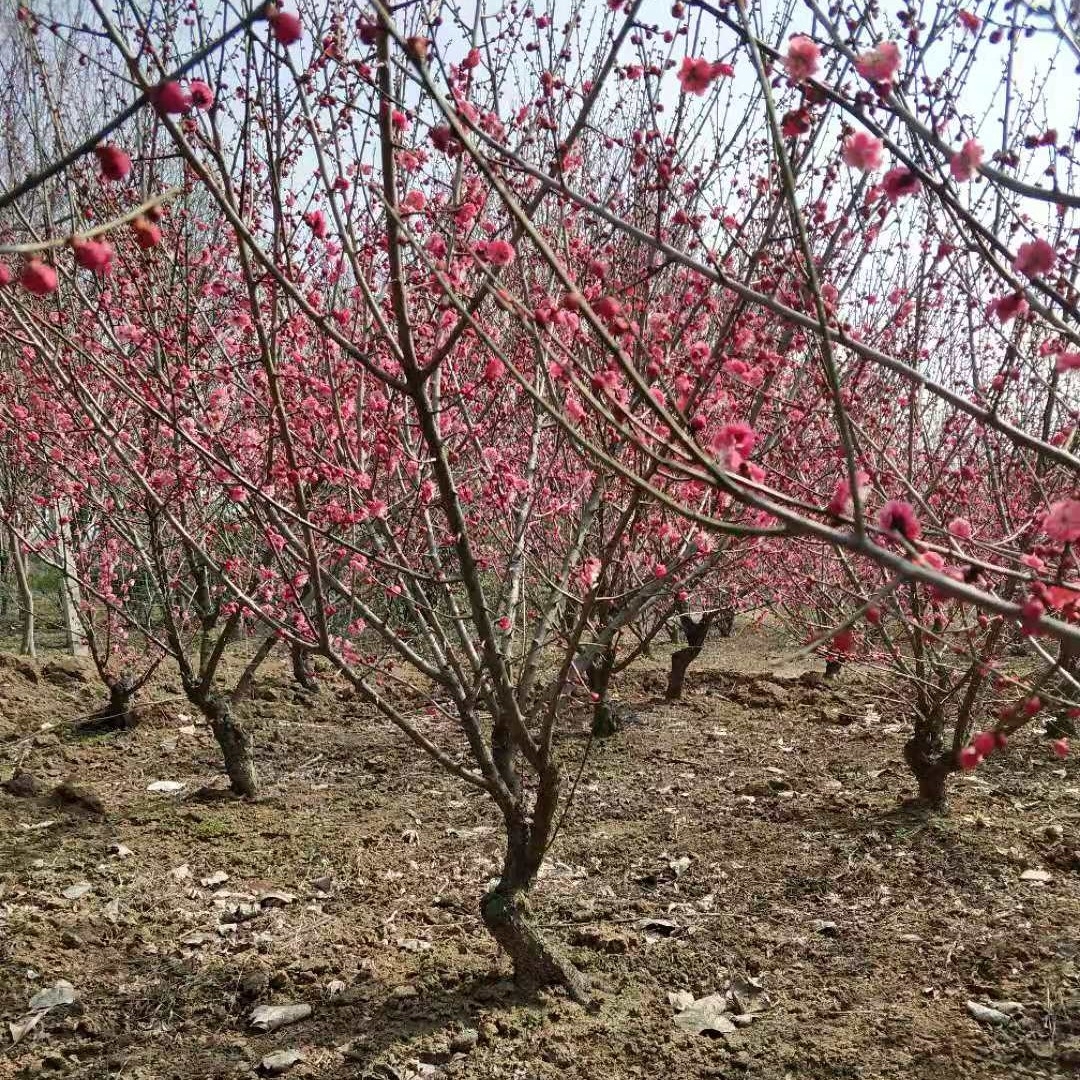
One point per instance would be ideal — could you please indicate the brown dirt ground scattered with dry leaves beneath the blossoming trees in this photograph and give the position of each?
(753, 833)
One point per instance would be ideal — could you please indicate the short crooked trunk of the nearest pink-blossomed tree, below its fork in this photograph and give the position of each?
(506, 913)
